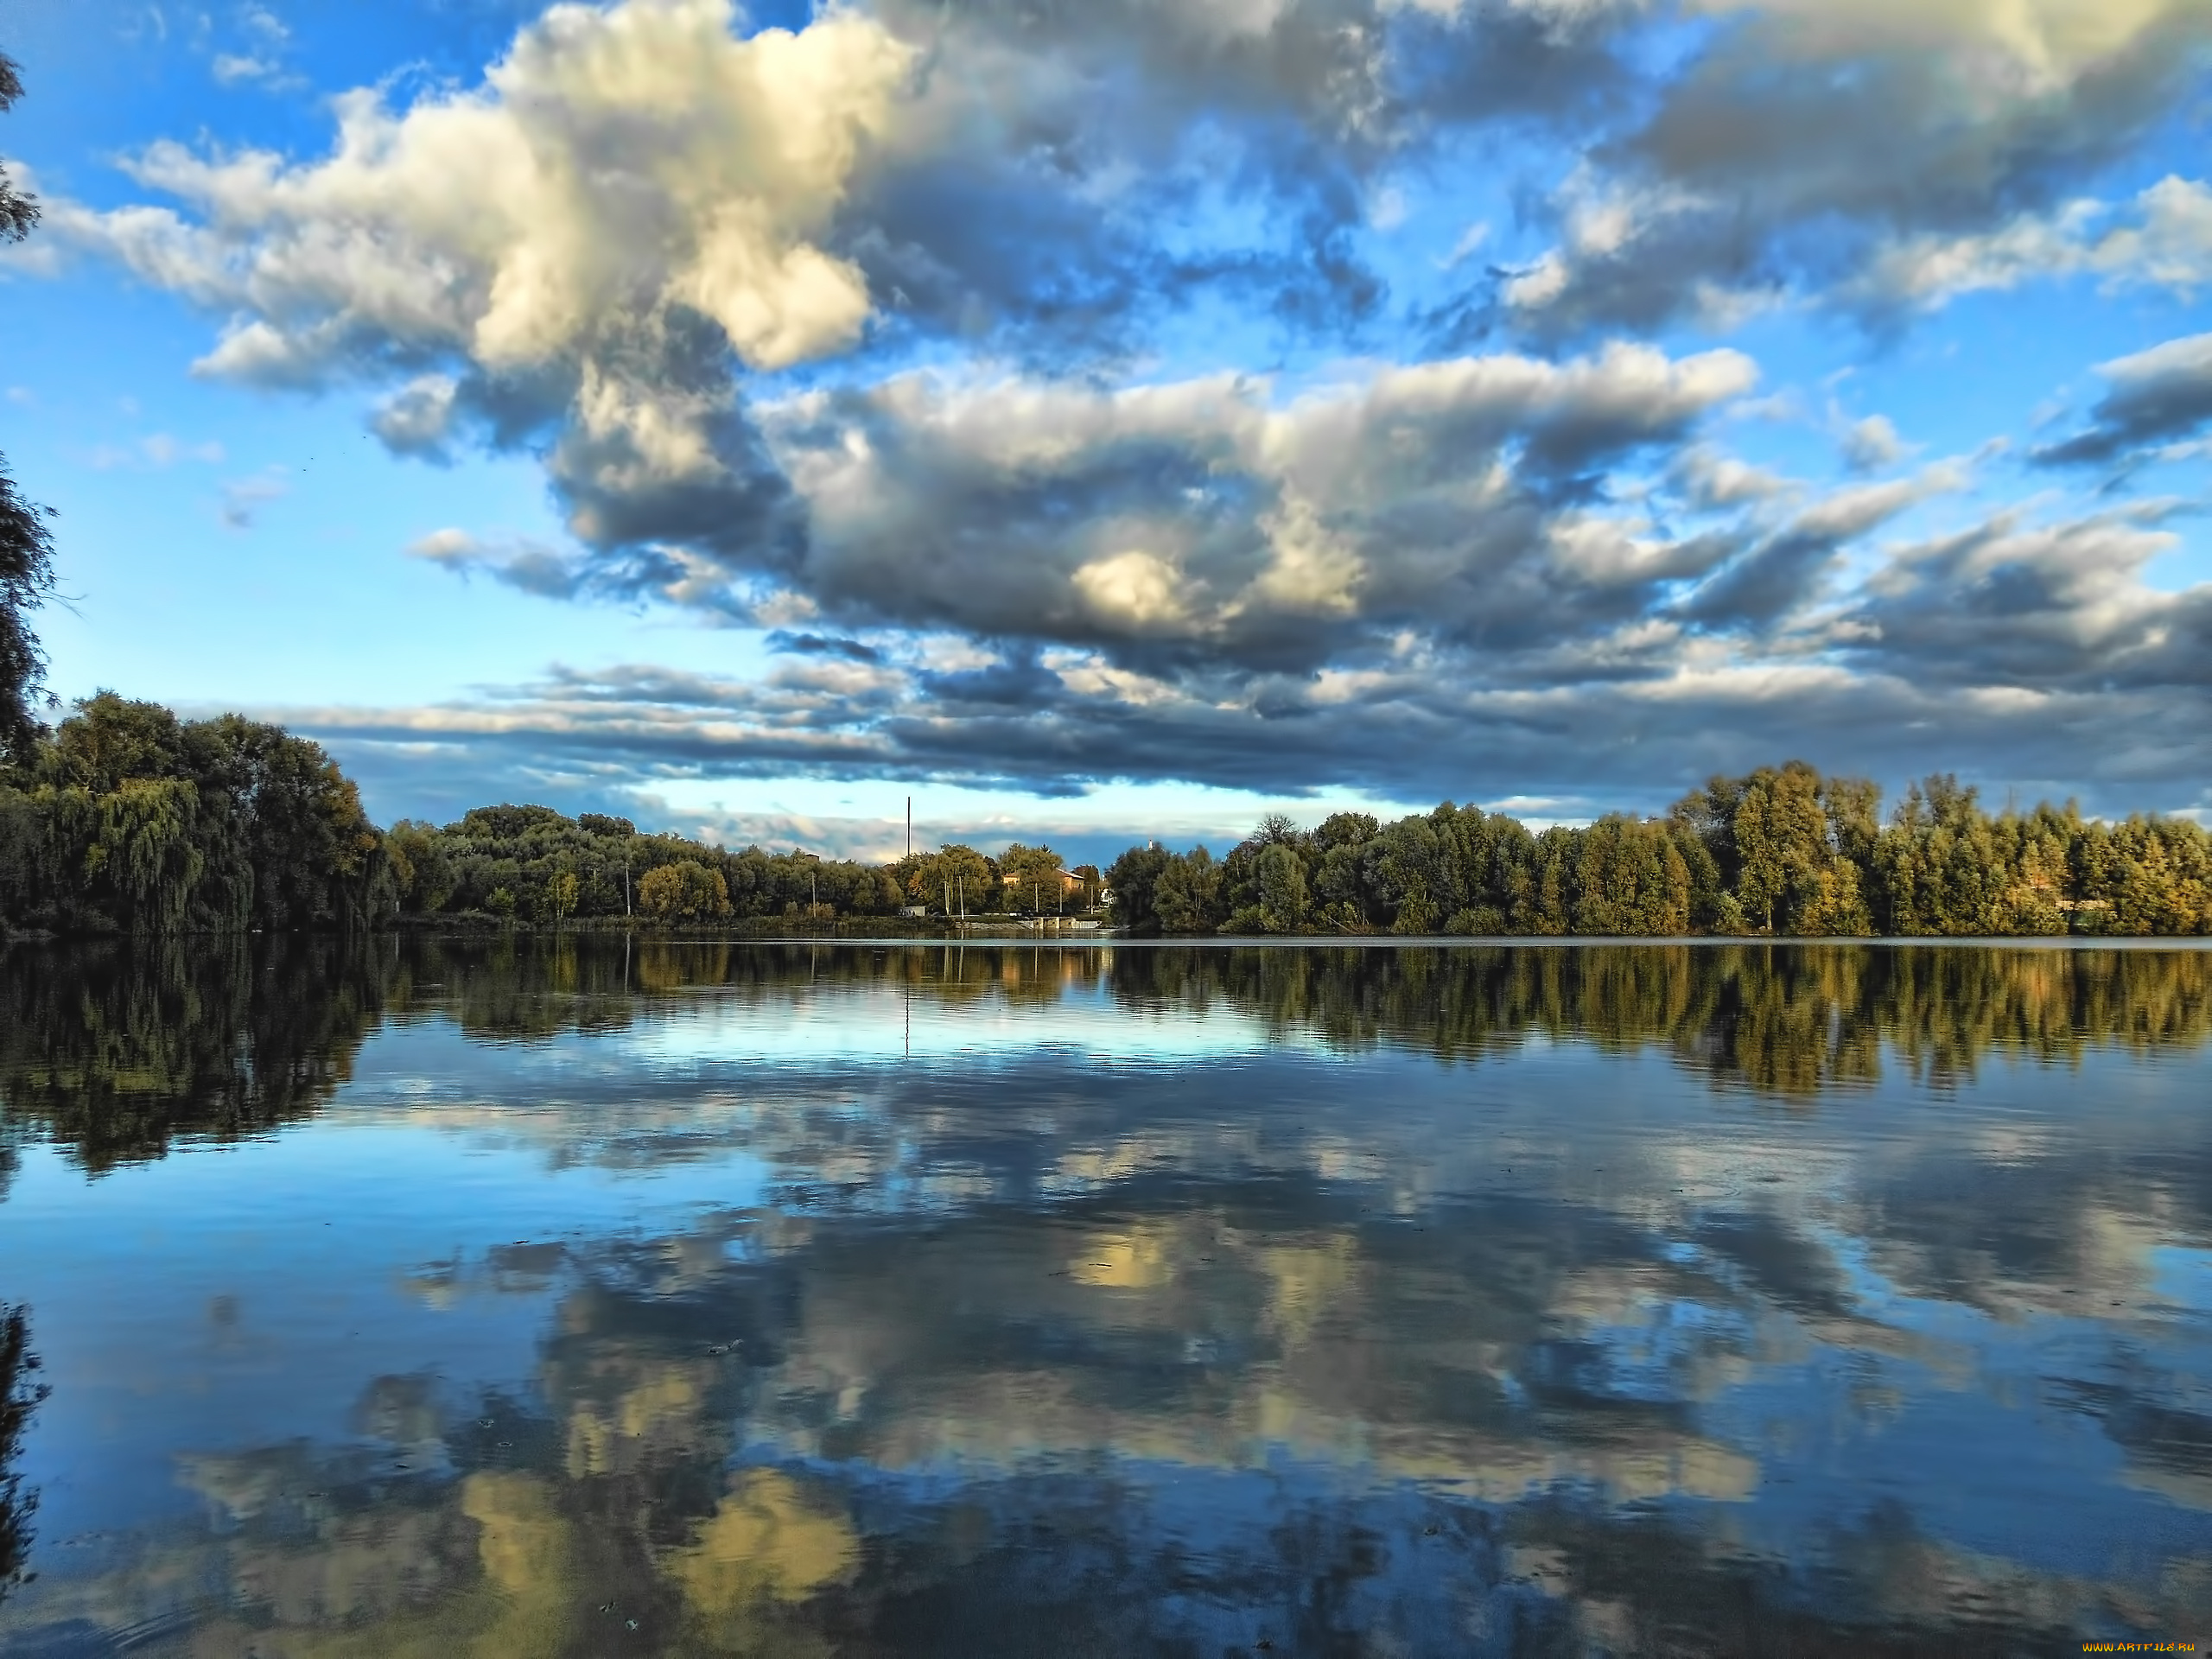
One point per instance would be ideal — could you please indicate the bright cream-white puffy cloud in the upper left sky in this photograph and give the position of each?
(614, 163)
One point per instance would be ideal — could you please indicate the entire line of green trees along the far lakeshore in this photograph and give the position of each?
(127, 820)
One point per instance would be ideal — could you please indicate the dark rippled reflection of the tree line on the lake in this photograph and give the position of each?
(114, 1052)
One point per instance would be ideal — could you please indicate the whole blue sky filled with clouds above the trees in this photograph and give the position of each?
(1107, 419)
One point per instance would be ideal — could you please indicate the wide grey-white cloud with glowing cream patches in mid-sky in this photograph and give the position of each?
(1202, 519)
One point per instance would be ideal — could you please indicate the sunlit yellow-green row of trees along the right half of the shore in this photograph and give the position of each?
(1777, 853)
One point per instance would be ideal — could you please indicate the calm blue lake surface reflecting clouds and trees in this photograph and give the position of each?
(762, 1300)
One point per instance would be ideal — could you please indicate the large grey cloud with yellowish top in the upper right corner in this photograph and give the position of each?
(1877, 156)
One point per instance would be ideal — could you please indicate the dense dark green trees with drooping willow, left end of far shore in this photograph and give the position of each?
(134, 822)
